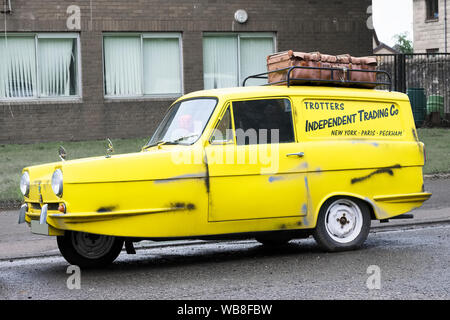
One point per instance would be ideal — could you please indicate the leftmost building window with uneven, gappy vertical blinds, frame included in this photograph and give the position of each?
(38, 66)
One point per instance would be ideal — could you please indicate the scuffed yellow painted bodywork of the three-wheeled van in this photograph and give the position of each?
(356, 142)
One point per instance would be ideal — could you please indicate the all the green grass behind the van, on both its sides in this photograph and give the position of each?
(14, 157)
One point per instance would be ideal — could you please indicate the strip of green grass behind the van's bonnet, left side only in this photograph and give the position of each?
(14, 157)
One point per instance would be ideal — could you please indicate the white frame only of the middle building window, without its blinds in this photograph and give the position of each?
(143, 36)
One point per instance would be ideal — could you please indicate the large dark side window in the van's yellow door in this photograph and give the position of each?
(263, 121)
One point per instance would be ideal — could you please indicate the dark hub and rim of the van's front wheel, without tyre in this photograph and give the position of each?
(92, 246)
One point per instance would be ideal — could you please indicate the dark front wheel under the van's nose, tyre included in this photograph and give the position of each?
(89, 250)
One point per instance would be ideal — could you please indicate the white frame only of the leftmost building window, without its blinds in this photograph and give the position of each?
(47, 35)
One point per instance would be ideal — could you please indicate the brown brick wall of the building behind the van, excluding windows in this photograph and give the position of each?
(333, 27)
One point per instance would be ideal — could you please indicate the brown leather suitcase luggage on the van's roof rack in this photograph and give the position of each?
(345, 62)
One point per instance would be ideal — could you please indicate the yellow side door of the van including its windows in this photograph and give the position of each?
(256, 166)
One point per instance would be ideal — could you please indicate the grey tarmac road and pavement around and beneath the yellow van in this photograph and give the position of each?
(412, 255)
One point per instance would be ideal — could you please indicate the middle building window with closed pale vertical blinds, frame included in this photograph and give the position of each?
(142, 65)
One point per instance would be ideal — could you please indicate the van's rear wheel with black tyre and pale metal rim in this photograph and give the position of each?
(343, 224)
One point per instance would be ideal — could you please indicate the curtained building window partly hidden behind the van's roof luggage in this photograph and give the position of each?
(229, 58)
